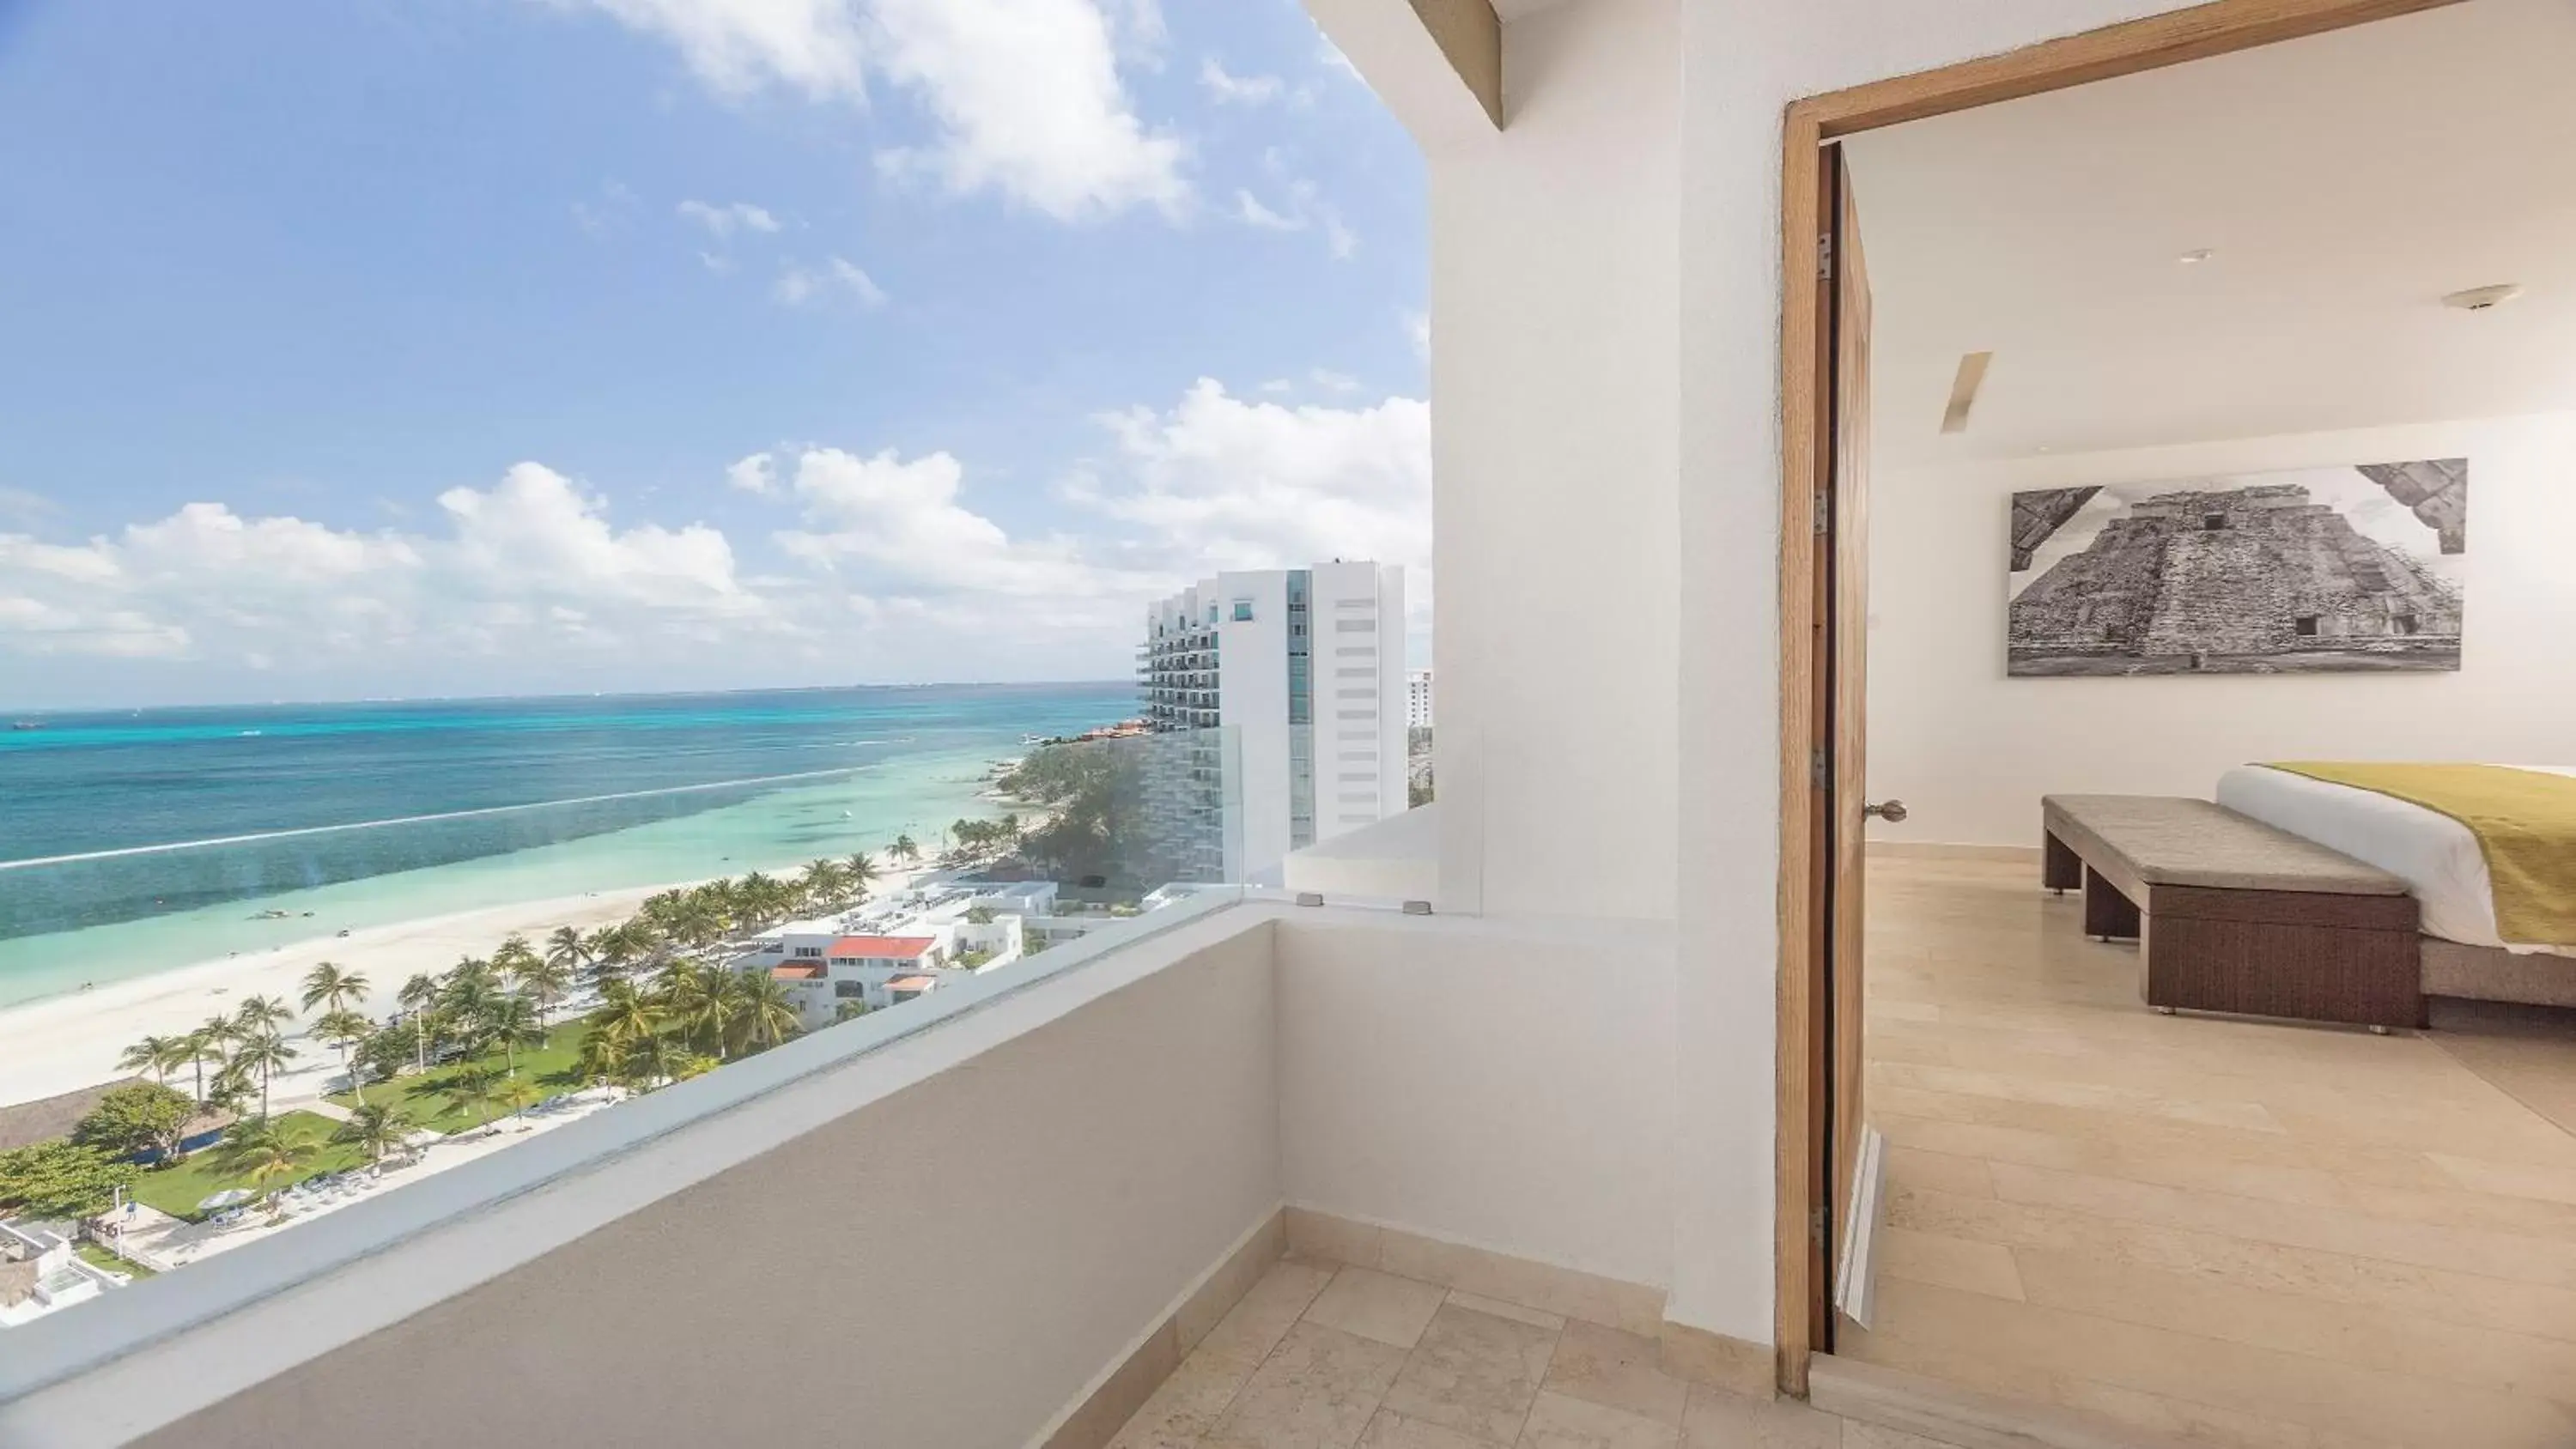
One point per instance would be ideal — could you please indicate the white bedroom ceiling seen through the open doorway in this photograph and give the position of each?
(2343, 187)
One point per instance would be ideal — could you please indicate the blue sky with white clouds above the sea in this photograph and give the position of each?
(488, 346)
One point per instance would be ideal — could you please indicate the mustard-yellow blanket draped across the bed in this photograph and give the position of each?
(2526, 825)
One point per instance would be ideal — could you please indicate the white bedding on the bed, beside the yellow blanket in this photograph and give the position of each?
(2433, 853)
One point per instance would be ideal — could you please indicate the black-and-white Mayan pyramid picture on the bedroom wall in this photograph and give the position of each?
(2250, 580)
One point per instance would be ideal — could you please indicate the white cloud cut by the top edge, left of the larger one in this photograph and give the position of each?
(743, 45)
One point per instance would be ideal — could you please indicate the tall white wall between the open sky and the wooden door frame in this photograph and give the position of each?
(1606, 508)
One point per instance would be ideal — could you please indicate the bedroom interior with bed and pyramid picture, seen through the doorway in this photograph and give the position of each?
(2222, 961)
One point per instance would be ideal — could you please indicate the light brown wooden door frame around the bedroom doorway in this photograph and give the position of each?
(1804, 374)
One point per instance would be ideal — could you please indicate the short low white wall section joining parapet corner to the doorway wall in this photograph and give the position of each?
(1485, 1085)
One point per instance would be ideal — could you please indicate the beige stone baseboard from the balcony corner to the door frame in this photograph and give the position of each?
(1686, 1352)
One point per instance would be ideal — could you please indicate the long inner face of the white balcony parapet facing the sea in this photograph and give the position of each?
(947, 1265)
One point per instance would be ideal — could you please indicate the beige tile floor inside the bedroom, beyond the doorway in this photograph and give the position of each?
(2248, 1234)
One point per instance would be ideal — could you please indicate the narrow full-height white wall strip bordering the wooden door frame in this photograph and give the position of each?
(1743, 68)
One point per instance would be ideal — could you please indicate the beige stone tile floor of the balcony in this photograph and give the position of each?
(1336, 1358)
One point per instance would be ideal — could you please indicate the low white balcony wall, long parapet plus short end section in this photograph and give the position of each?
(965, 1257)
